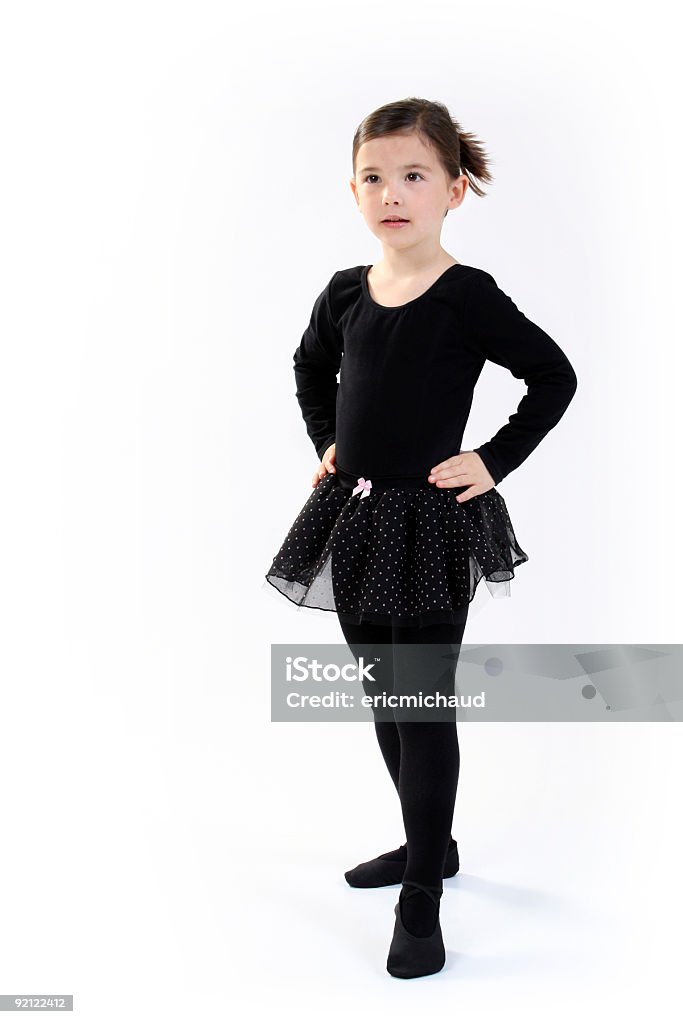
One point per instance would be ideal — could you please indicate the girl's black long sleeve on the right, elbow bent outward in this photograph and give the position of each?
(500, 332)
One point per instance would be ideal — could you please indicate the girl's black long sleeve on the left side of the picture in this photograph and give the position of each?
(317, 364)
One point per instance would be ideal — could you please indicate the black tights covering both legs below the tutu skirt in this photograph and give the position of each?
(423, 757)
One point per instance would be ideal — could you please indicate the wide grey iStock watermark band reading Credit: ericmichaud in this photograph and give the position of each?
(477, 682)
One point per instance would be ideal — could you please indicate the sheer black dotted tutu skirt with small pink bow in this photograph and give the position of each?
(399, 552)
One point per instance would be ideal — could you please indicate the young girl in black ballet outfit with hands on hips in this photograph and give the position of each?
(403, 525)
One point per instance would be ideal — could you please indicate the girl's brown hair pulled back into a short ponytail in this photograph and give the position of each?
(460, 152)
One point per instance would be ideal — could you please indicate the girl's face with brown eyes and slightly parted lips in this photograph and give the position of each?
(400, 177)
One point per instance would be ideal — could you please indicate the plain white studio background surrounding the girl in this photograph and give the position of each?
(176, 194)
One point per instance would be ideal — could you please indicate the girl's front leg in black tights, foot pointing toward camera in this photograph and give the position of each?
(430, 764)
